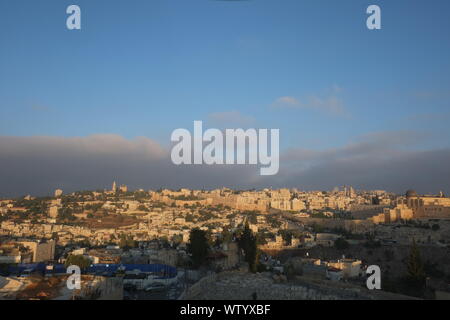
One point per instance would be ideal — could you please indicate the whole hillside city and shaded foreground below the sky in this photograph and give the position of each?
(329, 239)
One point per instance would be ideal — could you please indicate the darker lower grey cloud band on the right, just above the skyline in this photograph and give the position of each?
(425, 171)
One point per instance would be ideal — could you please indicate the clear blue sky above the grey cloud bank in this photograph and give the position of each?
(145, 68)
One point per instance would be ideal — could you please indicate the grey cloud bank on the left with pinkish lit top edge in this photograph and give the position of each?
(38, 165)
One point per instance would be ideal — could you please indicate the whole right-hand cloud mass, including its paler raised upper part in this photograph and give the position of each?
(388, 160)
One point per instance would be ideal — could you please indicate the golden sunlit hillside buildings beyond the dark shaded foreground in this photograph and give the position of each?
(97, 225)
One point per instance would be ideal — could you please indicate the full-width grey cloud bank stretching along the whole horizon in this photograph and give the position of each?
(388, 160)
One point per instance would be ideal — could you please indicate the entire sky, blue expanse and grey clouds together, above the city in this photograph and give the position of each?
(354, 106)
